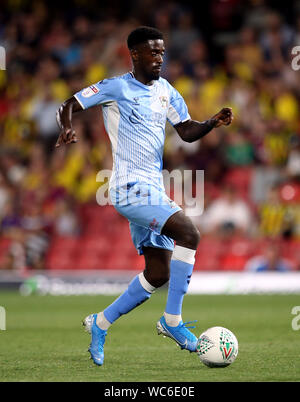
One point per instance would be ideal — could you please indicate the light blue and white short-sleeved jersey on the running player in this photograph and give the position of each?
(135, 116)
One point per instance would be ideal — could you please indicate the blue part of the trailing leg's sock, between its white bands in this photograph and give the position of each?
(133, 296)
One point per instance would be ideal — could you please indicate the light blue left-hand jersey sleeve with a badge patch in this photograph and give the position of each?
(97, 94)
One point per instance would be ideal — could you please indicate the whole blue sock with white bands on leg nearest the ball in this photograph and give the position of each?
(181, 269)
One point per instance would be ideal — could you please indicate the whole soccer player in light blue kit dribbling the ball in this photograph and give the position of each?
(135, 108)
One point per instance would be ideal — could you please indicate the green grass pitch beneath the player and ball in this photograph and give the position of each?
(44, 340)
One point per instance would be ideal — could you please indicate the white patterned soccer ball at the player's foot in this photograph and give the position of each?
(217, 347)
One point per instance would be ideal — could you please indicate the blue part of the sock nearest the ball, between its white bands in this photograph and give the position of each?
(180, 276)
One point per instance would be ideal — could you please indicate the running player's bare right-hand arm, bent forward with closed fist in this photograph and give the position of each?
(192, 130)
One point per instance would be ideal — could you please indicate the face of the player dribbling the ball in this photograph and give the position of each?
(150, 58)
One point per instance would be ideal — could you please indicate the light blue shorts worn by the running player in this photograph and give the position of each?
(147, 208)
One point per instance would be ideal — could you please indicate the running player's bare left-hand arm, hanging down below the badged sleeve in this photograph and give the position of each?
(64, 120)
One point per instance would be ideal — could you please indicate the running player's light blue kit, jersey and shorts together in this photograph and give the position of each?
(135, 117)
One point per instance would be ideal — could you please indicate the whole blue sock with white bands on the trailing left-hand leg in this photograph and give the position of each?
(138, 291)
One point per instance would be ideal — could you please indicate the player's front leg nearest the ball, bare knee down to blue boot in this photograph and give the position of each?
(182, 230)
